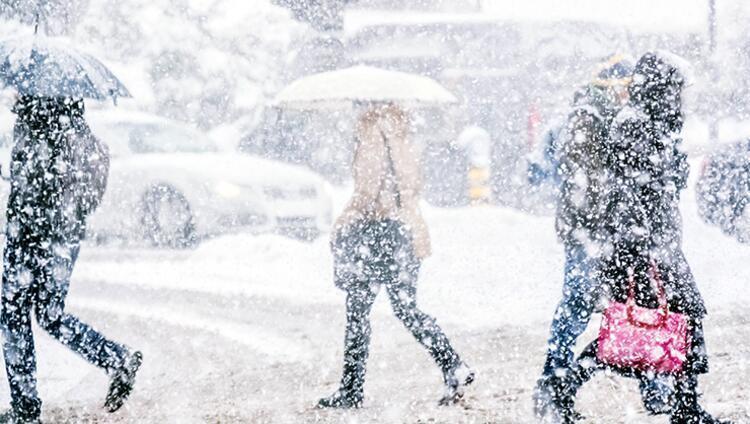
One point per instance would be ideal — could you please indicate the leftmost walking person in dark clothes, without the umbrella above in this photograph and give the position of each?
(58, 177)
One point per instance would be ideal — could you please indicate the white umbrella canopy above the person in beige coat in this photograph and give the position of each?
(363, 84)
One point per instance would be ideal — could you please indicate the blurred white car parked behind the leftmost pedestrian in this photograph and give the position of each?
(170, 185)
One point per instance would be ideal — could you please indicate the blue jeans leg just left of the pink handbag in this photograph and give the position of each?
(573, 312)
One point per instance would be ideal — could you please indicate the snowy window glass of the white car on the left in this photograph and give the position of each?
(127, 138)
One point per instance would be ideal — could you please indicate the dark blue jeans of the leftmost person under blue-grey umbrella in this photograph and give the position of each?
(36, 279)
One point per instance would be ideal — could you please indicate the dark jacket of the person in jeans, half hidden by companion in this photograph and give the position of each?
(580, 165)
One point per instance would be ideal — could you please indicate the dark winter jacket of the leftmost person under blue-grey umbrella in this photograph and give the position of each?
(58, 172)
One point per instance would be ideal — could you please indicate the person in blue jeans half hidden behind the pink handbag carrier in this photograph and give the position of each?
(578, 149)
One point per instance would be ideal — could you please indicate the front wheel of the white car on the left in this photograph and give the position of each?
(167, 218)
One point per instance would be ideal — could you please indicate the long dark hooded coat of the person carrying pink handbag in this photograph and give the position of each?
(647, 171)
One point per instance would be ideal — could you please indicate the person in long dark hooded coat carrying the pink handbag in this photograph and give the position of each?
(646, 172)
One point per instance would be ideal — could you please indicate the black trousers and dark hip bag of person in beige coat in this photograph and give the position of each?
(387, 262)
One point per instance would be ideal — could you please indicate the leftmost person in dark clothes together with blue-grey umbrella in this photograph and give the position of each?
(58, 176)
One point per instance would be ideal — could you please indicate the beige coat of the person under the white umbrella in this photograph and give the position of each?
(372, 196)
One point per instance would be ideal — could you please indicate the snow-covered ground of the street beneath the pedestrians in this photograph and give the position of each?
(250, 329)
